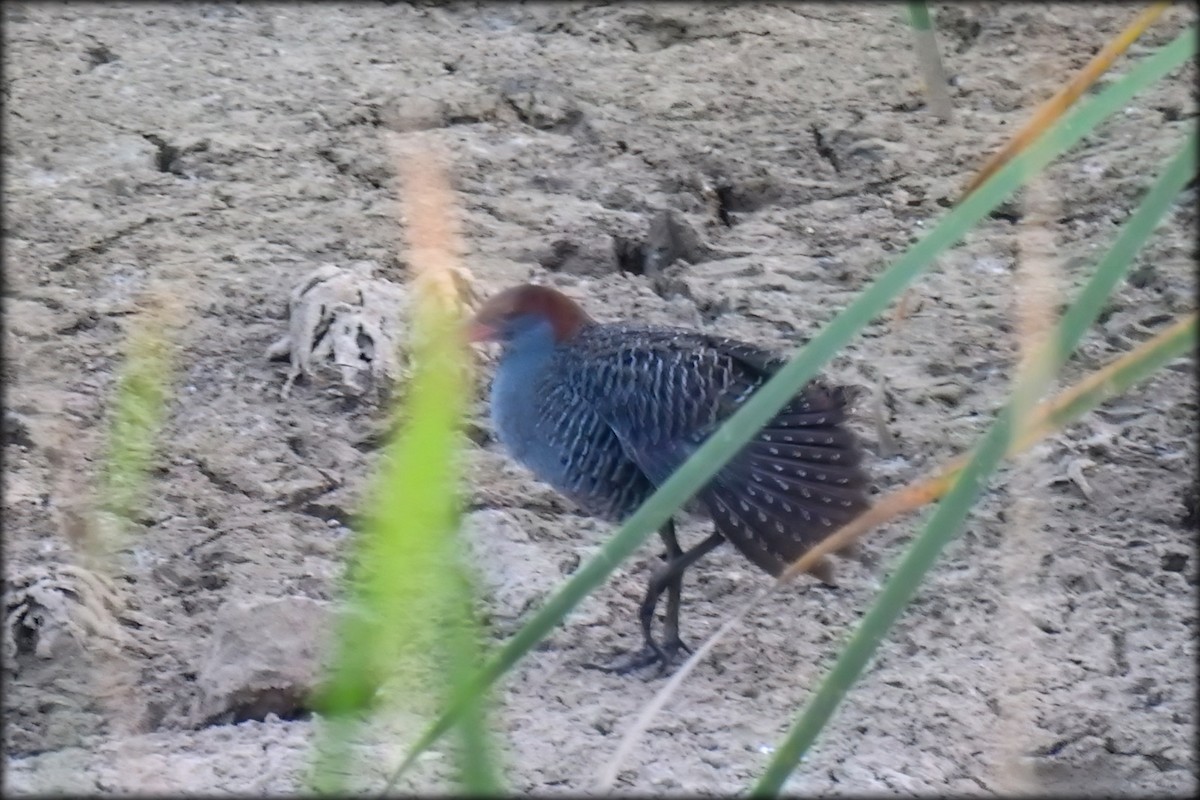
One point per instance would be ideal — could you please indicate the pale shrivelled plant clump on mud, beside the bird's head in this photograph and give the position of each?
(345, 322)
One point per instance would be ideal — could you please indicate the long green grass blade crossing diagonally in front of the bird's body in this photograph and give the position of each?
(711, 458)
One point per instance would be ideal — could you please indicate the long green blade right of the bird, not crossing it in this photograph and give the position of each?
(953, 510)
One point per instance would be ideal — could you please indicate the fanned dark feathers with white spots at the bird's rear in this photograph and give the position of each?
(794, 485)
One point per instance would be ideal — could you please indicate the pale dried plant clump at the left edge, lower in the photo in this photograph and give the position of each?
(49, 603)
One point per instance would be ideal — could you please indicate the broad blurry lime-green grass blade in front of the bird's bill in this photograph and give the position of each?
(409, 574)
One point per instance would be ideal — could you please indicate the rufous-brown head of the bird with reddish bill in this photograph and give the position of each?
(525, 311)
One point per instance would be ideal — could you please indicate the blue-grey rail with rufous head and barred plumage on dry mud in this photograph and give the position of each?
(607, 412)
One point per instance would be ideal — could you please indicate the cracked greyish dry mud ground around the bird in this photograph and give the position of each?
(229, 152)
